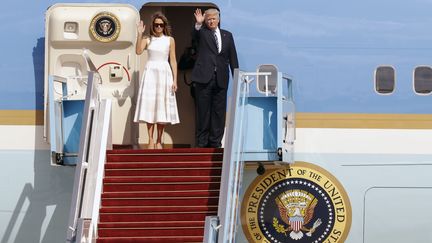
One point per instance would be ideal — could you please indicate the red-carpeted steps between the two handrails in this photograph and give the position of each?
(159, 195)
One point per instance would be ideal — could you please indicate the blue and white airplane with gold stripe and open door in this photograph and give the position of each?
(328, 130)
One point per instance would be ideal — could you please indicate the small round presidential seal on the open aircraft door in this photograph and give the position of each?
(105, 27)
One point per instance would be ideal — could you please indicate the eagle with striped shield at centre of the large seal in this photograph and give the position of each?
(296, 209)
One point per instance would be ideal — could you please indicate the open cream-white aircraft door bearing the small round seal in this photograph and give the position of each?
(108, 33)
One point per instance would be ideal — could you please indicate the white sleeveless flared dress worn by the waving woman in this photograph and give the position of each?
(156, 102)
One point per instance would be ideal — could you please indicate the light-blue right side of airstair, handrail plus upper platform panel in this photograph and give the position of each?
(238, 148)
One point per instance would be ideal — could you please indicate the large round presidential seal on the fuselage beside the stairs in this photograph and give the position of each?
(298, 203)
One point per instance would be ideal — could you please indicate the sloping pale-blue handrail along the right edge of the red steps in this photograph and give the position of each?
(233, 161)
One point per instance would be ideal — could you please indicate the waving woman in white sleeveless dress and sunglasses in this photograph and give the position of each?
(156, 97)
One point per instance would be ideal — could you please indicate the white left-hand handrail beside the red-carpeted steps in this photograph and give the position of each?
(95, 131)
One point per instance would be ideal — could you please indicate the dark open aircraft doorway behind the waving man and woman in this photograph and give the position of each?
(182, 20)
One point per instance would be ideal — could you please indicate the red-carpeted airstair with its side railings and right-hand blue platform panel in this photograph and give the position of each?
(180, 195)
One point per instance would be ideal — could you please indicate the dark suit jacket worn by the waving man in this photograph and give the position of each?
(209, 60)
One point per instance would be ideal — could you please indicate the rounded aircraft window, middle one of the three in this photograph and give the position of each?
(384, 79)
